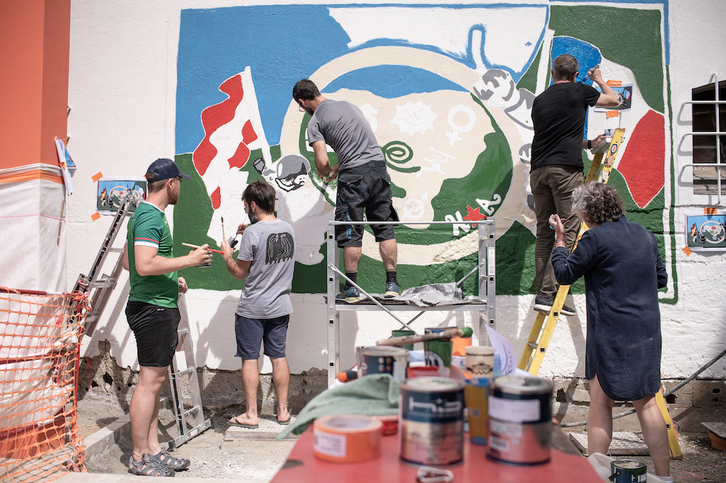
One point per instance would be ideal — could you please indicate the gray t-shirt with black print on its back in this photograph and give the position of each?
(270, 246)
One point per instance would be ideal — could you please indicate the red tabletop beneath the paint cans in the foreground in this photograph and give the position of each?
(566, 465)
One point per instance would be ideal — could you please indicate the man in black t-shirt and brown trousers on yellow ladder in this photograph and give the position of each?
(558, 115)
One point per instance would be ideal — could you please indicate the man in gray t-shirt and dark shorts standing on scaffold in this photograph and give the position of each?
(364, 185)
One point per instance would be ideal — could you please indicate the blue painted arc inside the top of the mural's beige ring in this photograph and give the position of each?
(390, 81)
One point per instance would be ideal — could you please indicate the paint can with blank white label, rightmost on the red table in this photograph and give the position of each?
(520, 420)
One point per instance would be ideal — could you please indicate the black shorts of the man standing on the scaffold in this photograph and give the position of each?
(366, 189)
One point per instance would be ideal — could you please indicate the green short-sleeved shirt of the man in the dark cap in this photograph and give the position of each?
(148, 227)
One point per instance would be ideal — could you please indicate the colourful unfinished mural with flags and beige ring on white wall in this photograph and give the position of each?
(448, 92)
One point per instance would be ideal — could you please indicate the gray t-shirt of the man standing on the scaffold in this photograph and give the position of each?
(342, 126)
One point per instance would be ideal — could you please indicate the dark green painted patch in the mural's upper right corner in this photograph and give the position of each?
(630, 37)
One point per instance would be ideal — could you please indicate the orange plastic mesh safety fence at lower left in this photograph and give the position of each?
(40, 338)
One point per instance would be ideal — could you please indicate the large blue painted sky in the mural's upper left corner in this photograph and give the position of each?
(277, 42)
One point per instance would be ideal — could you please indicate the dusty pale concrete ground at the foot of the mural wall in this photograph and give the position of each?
(253, 456)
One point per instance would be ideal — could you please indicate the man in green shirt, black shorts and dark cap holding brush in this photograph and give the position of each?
(152, 312)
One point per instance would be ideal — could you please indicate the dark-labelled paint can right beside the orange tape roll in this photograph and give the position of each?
(431, 421)
